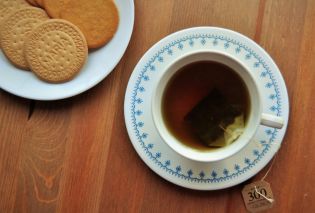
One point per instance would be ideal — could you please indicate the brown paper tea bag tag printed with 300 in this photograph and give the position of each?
(258, 196)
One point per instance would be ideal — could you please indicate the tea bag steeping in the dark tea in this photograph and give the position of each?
(214, 121)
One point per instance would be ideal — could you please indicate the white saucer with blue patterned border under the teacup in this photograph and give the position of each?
(158, 155)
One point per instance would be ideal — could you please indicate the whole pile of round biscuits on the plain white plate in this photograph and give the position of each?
(52, 37)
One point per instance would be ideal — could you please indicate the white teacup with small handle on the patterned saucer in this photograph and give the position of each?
(256, 115)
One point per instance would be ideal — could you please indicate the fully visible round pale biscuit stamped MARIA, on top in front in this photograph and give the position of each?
(56, 50)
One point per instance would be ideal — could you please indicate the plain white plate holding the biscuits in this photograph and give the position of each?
(100, 63)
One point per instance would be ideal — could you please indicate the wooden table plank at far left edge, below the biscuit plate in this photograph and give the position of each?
(13, 117)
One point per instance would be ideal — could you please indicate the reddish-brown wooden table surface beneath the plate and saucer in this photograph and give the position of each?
(74, 155)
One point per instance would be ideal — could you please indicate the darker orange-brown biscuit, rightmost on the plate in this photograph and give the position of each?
(97, 19)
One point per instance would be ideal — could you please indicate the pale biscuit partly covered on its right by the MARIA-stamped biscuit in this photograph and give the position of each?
(15, 29)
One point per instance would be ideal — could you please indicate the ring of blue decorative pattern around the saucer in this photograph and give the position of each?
(168, 50)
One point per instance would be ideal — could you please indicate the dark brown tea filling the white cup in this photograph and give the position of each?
(201, 100)
